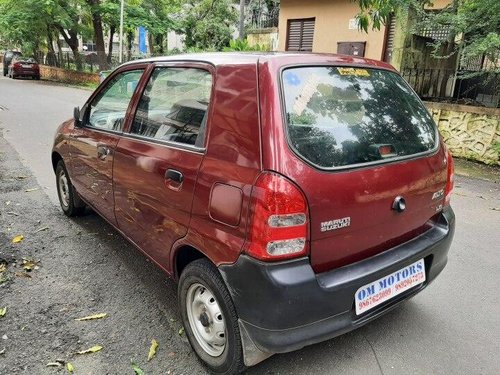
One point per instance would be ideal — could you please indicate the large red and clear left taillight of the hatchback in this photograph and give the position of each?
(279, 223)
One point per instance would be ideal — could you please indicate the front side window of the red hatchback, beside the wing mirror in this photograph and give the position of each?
(108, 109)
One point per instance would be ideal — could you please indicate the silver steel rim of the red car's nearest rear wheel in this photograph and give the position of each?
(206, 320)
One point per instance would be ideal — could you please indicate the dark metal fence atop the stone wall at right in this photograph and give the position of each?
(471, 87)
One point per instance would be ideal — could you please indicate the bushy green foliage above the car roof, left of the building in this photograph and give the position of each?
(208, 23)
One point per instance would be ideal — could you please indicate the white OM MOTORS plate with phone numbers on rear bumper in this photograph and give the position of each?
(377, 292)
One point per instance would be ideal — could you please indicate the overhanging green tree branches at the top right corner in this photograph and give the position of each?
(476, 23)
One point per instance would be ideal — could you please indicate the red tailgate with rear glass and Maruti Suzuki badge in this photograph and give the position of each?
(366, 154)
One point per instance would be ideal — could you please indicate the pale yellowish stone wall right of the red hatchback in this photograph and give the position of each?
(469, 132)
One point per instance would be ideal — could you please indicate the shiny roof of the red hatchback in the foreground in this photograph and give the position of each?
(280, 58)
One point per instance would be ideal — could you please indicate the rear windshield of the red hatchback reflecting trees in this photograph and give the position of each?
(341, 116)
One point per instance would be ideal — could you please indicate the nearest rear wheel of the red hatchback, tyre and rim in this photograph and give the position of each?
(209, 318)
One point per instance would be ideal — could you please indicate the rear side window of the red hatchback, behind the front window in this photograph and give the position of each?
(174, 106)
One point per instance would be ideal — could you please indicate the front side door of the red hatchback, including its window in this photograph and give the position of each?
(93, 143)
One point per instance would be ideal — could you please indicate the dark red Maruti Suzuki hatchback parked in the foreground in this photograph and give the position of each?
(294, 197)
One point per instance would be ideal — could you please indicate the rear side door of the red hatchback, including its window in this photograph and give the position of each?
(157, 160)
